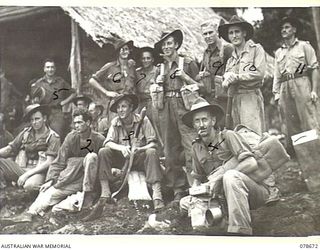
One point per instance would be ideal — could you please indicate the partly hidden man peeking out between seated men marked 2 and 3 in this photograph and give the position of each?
(99, 122)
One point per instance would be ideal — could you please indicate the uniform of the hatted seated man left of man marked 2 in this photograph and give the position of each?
(47, 144)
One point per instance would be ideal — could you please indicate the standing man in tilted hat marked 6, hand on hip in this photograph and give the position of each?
(116, 77)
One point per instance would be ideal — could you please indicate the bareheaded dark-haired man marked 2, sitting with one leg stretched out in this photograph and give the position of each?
(75, 169)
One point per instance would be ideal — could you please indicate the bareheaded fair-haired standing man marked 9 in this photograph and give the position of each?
(214, 63)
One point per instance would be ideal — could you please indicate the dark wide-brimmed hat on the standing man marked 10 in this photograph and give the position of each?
(235, 20)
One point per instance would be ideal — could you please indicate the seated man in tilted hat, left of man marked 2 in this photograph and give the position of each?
(34, 148)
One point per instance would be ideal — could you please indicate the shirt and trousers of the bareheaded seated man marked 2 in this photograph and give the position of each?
(74, 169)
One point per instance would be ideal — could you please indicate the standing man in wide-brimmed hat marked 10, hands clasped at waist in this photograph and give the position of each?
(244, 73)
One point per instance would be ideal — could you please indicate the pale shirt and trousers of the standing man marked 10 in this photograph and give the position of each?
(247, 105)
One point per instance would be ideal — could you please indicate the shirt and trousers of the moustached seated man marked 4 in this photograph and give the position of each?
(242, 192)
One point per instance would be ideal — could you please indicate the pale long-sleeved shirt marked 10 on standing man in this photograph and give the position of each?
(250, 66)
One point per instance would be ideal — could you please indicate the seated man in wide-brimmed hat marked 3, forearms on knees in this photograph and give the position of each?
(119, 146)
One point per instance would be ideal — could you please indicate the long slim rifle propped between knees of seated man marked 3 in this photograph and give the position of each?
(129, 162)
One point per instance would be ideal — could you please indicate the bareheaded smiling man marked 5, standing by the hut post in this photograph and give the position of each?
(54, 91)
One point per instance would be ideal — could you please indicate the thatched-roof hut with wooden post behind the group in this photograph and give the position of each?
(30, 34)
